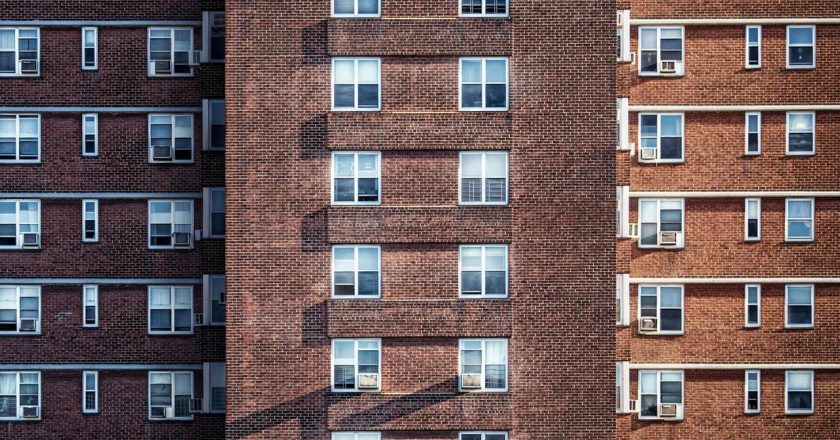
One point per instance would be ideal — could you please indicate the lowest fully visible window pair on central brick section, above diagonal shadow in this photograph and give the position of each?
(357, 366)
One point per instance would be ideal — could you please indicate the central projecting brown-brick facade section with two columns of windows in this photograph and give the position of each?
(420, 203)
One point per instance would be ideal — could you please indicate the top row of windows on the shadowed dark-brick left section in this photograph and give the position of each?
(170, 49)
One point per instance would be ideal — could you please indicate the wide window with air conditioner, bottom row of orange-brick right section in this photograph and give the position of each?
(660, 390)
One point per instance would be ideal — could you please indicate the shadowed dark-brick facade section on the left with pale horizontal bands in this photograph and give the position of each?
(112, 219)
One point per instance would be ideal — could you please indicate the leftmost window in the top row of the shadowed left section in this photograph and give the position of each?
(19, 51)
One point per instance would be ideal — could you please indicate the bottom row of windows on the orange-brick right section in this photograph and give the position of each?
(661, 393)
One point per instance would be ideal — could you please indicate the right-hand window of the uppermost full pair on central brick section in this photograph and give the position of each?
(484, 84)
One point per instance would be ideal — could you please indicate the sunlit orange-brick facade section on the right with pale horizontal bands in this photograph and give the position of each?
(728, 202)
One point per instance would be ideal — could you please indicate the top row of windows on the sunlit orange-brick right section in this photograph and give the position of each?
(662, 49)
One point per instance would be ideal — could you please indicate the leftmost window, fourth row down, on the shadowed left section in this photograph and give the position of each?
(20, 310)
